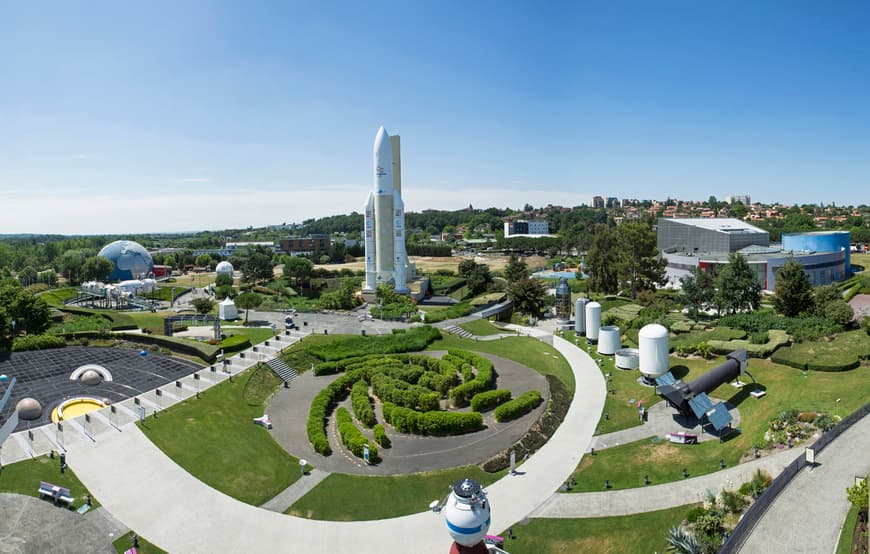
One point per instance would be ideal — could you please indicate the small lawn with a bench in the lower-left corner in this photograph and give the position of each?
(24, 477)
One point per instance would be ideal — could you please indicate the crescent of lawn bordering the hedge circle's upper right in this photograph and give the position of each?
(530, 352)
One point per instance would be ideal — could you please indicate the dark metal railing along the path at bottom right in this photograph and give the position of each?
(753, 515)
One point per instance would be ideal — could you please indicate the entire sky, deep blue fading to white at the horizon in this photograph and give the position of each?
(206, 115)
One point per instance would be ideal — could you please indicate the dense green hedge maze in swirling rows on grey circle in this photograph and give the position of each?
(414, 390)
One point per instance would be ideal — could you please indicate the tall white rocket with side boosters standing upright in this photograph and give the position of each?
(384, 231)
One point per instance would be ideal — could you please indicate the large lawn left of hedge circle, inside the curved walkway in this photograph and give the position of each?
(214, 439)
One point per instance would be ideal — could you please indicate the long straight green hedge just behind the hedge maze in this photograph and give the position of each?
(416, 338)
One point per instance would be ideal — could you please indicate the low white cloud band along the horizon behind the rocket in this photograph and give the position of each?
(139, 212)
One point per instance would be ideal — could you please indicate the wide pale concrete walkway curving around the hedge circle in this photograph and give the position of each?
(148, 492)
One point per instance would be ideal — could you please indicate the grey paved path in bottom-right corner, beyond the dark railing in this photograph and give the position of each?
(808, 515)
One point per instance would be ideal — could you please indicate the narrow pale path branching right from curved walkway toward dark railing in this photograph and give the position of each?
(659, 497)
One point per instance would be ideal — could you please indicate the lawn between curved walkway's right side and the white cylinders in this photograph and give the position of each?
(621, 405)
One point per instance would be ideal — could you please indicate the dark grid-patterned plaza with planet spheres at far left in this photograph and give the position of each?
(44, 375)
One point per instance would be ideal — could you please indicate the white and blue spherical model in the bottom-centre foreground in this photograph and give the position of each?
(467, 513)
